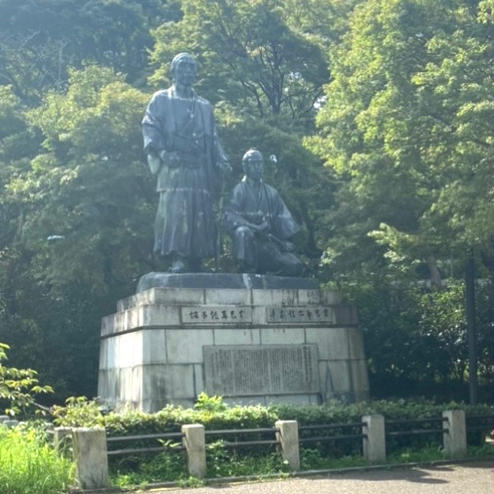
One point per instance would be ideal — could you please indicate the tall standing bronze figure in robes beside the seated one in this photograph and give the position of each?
(183, 150)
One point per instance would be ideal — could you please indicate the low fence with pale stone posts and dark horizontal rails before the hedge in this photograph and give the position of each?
(91, 445)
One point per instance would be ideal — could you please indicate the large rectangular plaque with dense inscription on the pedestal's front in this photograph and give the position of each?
(245, 370)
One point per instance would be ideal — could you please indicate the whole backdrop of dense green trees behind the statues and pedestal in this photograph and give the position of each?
(378, 112)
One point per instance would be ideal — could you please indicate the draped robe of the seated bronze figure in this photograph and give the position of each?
(261, 252)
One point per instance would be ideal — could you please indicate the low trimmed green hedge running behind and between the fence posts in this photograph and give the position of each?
(135, 469)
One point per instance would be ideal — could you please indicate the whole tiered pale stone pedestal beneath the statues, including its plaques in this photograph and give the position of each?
(249, 345)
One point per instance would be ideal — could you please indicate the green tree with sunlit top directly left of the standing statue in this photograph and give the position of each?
(81, 214)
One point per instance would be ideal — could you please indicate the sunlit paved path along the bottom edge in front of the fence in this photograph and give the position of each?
(464, 478)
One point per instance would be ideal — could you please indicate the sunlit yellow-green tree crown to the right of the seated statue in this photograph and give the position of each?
(406, 127)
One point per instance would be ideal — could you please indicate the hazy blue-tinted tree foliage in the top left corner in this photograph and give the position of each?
(41, 39)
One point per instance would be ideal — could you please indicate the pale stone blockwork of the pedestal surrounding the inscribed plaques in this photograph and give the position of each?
(152, 358)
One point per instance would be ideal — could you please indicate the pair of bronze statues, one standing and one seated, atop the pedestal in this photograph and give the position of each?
(184, 152)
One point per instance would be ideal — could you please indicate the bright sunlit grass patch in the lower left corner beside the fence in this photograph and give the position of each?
(28, 464)
